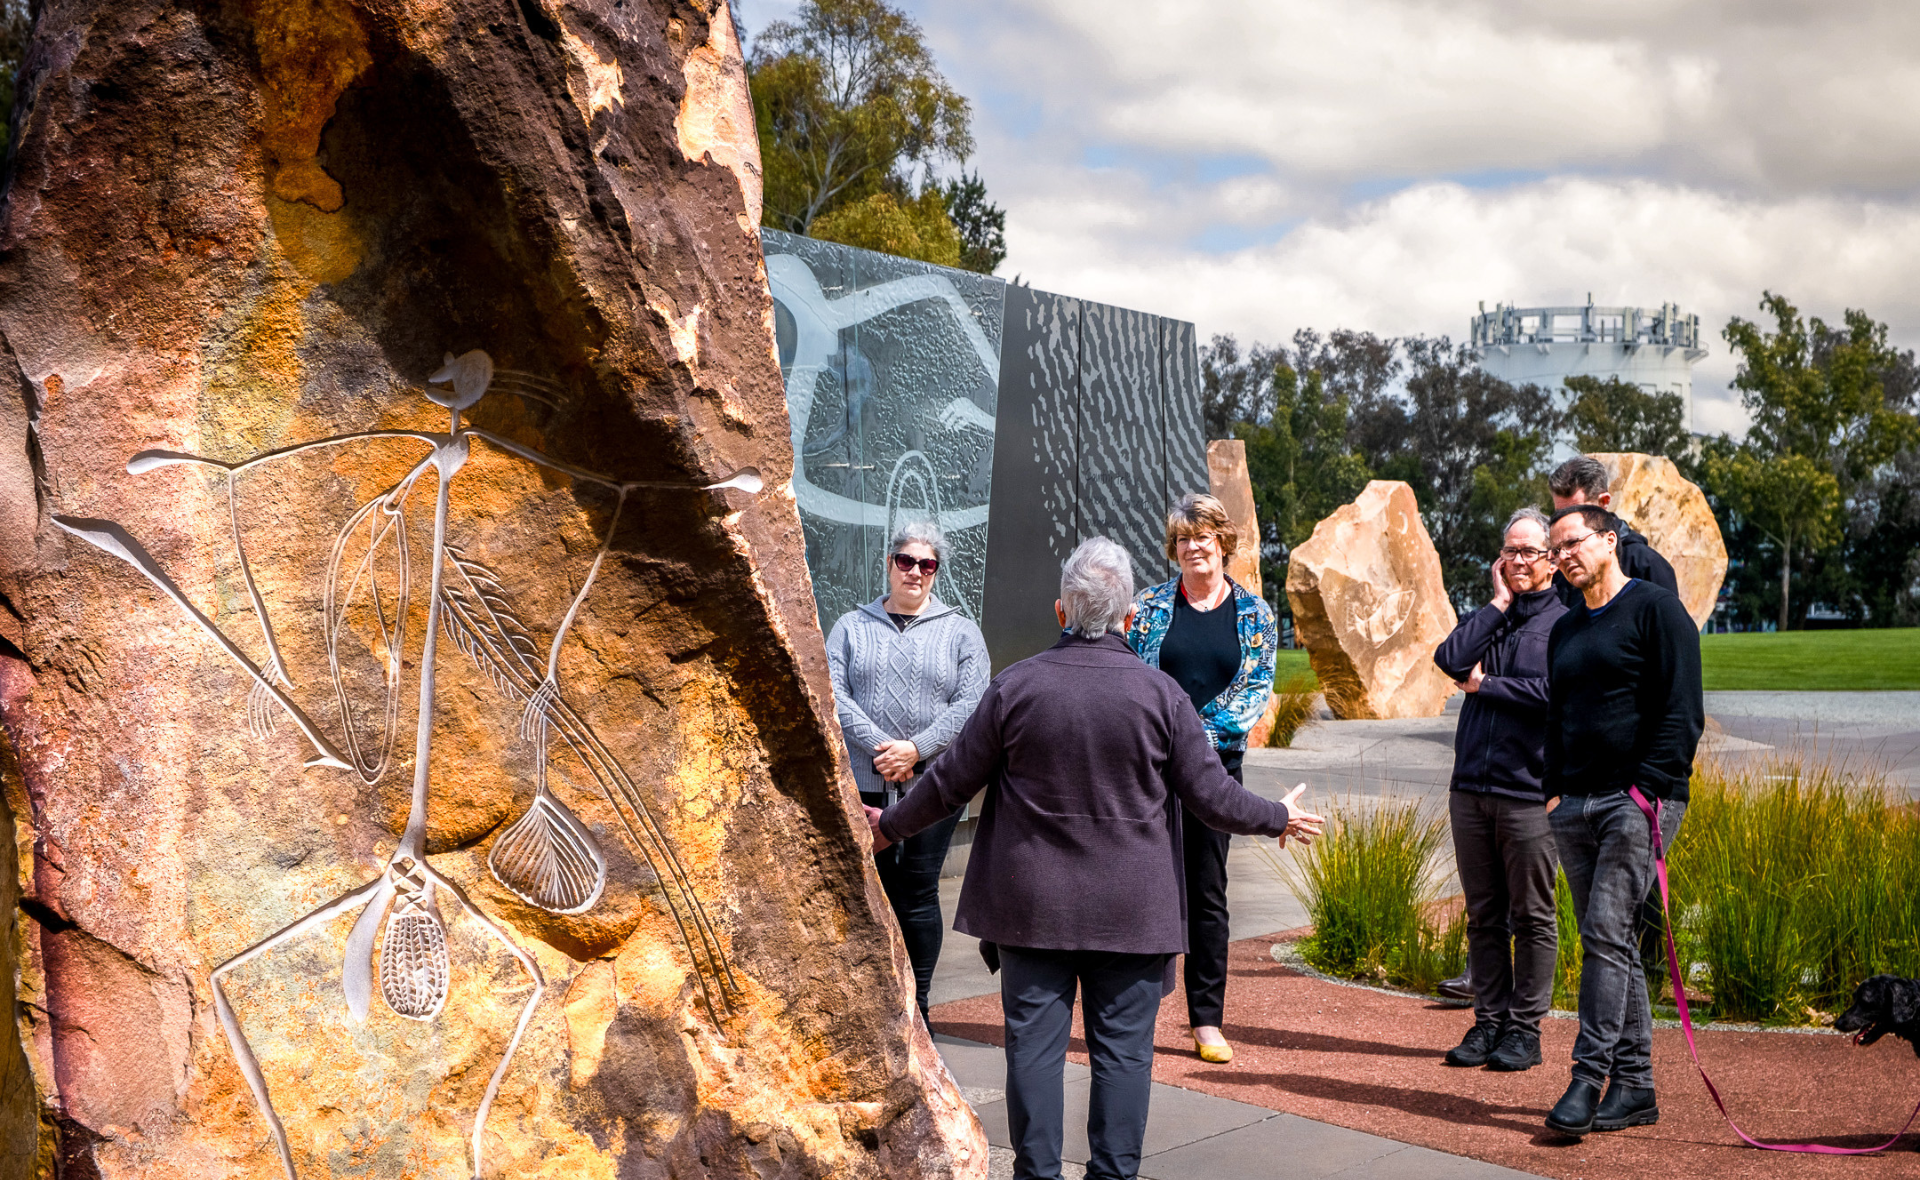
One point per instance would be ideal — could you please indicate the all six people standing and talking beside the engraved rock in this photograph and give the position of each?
(1116, 786)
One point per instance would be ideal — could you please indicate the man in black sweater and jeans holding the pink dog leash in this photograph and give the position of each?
(1623, 711)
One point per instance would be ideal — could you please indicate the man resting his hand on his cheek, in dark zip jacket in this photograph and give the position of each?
(1499, 814)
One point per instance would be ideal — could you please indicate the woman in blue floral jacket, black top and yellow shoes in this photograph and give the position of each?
(1214, 638)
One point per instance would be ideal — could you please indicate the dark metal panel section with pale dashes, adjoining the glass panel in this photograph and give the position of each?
(1034, 473)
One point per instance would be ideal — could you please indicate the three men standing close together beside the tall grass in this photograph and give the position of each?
(1583, 682)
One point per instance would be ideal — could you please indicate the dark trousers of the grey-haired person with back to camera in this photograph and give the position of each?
(1122, 997)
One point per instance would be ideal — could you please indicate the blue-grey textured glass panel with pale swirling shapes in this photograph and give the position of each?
(892, 377)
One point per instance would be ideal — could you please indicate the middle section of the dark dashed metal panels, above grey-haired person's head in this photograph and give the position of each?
(1122, 438)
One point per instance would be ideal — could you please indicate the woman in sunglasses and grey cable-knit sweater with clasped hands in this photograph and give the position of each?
(907, 674)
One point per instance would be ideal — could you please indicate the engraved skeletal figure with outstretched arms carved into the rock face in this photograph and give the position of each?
(546, 857)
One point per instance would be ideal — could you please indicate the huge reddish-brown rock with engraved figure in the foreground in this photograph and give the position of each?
(627, 903)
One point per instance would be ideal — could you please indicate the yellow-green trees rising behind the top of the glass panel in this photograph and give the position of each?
(855, 118)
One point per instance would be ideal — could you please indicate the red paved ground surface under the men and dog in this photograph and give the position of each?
(1372, 1062)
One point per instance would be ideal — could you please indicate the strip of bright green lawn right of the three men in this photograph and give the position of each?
(1871, 659)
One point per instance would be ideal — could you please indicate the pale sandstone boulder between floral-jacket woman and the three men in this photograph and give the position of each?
(1370, 607)
